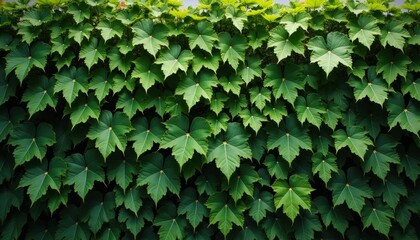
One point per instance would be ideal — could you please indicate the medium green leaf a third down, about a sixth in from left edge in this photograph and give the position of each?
(71, 81)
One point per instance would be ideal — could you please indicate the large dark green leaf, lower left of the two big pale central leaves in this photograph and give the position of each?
(159, 175)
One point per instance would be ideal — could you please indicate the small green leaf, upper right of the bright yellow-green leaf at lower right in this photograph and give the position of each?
(324, 165)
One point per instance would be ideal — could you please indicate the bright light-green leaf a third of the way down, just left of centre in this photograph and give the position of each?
(193, 87)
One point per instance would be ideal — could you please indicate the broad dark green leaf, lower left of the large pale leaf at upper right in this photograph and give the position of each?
(284, 83)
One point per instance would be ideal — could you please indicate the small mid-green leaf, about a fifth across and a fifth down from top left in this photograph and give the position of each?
(92, 52)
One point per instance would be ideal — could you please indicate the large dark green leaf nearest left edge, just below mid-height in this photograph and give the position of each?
(31, 141)
